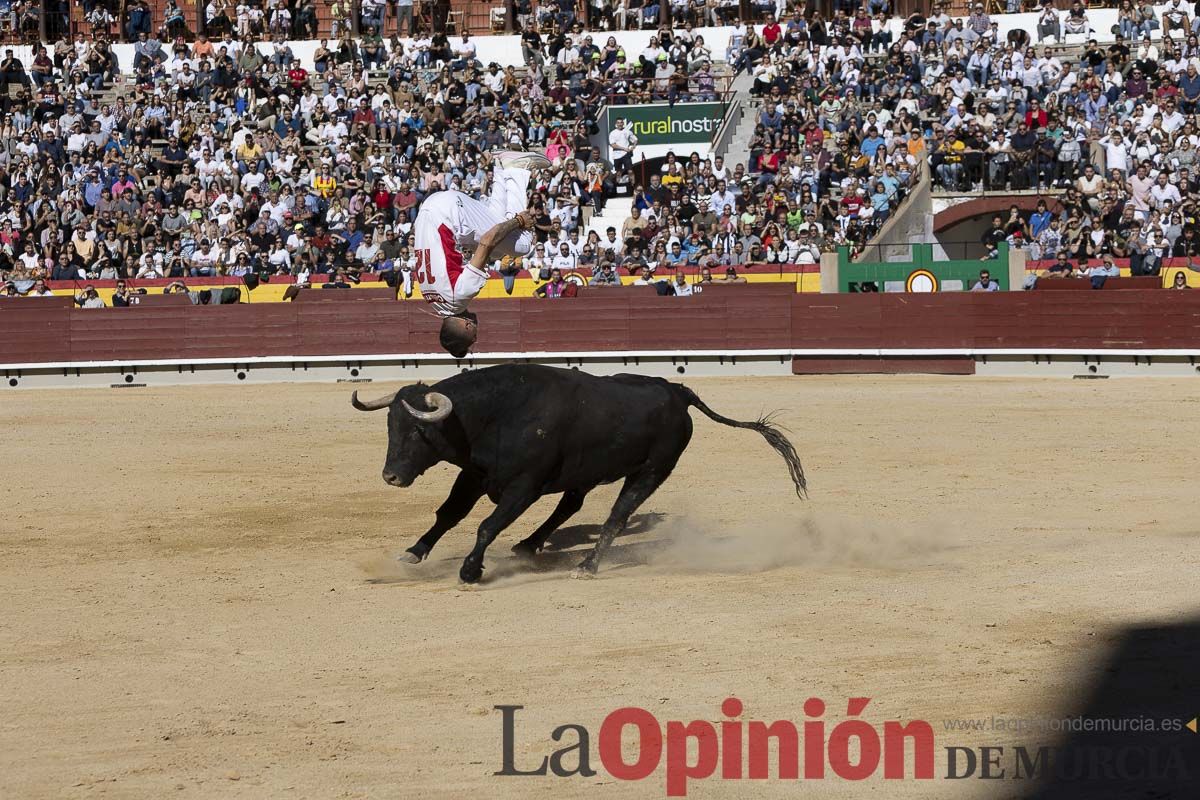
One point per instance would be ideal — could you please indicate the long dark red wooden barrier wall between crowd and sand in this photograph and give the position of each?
(736, 318)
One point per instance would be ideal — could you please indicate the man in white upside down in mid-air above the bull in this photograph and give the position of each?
(451, 224)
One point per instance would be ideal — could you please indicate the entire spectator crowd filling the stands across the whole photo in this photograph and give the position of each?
(219, 154)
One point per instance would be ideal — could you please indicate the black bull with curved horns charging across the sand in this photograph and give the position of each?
(521, 431)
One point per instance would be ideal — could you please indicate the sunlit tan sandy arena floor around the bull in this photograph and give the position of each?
(196, 600)
